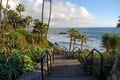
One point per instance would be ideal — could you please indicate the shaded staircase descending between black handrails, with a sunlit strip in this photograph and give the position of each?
(67, 69)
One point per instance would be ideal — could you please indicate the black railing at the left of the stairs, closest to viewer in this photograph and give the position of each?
(46, 57)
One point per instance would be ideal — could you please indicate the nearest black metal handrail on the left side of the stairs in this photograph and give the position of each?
(44, 54)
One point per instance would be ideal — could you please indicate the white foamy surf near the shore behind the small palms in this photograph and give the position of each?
(63, 41)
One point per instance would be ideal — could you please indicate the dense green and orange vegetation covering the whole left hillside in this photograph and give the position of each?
(19, 50)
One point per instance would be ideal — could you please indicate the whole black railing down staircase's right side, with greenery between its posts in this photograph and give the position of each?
(89, 61)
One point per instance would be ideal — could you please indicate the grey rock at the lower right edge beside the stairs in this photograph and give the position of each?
(115, 73)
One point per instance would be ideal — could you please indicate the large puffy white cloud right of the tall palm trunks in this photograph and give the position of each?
(69, 15)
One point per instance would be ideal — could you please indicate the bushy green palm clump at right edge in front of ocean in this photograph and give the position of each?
(111, 42)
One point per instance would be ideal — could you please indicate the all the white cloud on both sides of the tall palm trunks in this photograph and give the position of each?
(63, 14)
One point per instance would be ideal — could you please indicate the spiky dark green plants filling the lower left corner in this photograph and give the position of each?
(13, 64)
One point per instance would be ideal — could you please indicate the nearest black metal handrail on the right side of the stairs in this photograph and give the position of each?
(101, 62)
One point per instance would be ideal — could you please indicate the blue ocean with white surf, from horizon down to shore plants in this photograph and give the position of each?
(94, 36)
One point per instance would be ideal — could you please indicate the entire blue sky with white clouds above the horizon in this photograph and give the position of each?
(74, 13)
